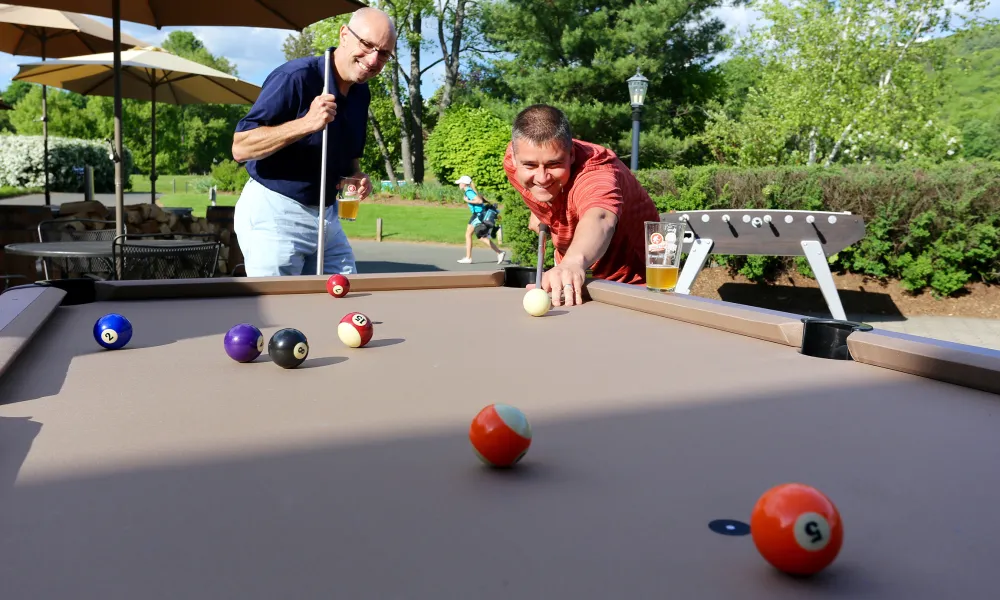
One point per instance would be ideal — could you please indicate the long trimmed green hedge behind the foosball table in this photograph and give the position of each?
(934, 228)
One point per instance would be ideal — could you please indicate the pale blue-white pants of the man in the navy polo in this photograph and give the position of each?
(279, 236)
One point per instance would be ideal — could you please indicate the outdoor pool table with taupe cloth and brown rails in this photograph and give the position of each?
(167, 470)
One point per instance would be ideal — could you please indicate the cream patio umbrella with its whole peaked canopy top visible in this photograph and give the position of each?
(149, 73)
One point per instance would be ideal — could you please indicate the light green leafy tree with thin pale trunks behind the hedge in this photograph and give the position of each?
(855, 80)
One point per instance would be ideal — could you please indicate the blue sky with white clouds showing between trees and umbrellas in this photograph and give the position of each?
(257, 51)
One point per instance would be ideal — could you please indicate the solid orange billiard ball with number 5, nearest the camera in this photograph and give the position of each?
(796, 528)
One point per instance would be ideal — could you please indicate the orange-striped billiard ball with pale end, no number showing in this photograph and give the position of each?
(500, 435)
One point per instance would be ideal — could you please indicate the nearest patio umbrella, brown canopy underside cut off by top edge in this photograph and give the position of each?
(276, 14)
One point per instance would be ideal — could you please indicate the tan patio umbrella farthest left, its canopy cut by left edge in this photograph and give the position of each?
(46, 33)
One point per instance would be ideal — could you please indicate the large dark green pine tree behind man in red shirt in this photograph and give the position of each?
(577, 54)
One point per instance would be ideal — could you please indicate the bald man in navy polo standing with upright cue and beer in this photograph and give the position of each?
(281, 142)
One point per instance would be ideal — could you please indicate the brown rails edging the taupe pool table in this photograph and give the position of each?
(25, 309)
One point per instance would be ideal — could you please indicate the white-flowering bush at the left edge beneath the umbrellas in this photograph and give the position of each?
(22, 163)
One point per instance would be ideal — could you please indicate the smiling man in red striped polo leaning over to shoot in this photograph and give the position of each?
(593, 204)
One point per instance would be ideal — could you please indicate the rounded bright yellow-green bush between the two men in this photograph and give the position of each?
(469, 141)
